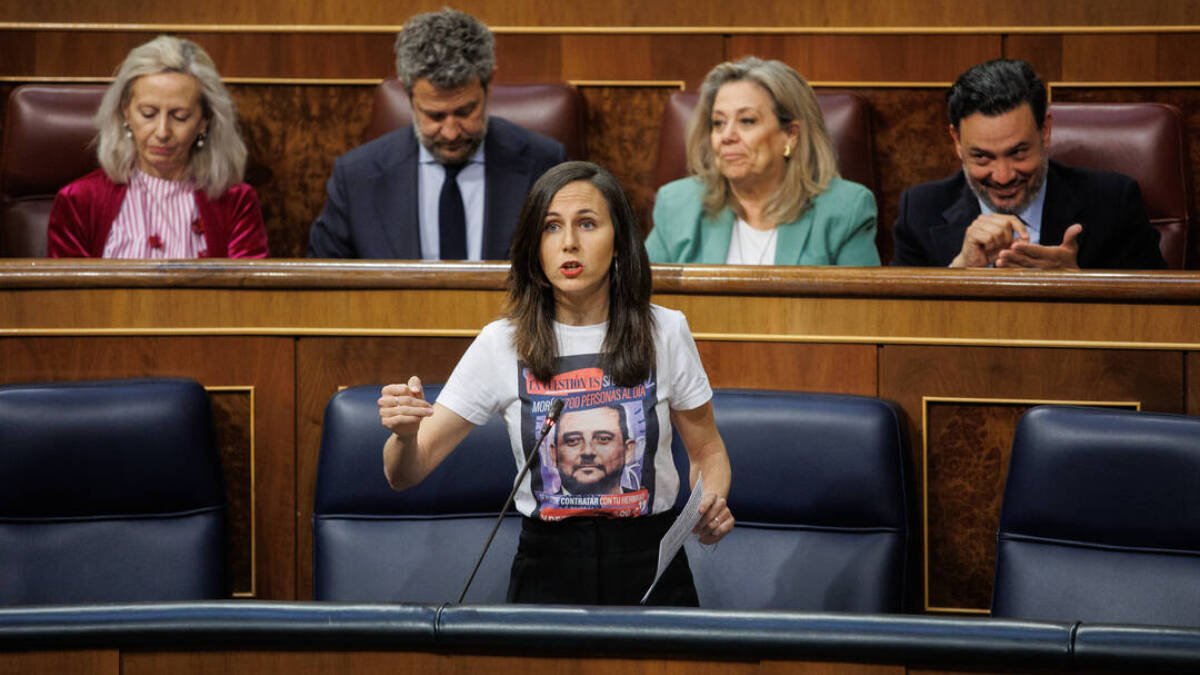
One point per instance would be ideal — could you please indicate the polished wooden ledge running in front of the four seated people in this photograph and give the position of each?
(885, 284)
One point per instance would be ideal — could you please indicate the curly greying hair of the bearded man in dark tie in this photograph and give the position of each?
(448, 49)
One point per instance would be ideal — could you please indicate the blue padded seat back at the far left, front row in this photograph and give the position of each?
(110, 492)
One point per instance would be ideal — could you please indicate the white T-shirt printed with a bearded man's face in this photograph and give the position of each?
(489, 381)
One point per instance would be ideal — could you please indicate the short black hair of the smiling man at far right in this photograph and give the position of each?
(995, 88)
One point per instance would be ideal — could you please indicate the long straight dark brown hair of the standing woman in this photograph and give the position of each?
(629, 344)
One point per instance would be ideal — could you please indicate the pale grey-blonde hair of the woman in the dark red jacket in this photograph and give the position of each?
(213, 169)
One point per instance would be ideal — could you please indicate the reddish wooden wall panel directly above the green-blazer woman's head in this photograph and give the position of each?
(872, 58)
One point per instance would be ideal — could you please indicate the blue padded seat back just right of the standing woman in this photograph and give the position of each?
(819, 492)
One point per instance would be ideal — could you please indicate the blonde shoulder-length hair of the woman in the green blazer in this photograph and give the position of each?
(813, 164)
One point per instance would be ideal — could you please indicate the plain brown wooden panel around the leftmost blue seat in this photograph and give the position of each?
(263, 363)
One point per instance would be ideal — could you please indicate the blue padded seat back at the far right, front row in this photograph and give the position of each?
(1101, 519)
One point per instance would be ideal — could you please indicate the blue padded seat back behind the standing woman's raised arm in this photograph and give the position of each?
(375, 545)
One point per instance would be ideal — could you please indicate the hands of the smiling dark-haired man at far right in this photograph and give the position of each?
(1004, 241)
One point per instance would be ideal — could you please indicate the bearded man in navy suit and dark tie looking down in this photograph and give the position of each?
(452, 186)
